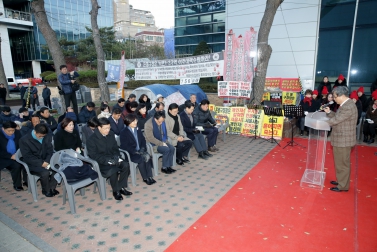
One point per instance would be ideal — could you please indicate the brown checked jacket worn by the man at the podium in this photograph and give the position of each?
(343, 124)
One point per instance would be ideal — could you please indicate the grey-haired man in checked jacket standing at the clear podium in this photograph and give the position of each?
(343, 136)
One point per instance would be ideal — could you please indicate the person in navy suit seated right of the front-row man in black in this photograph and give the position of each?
(132, 140)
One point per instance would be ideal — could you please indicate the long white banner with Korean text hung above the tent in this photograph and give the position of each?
(195, 67)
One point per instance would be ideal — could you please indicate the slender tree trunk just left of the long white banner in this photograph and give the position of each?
(104, 89)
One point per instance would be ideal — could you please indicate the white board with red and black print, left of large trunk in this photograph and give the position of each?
(237, 89)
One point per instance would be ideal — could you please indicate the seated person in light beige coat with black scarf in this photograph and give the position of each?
(176, 134)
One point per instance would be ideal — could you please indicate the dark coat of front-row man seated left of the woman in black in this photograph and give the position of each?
(35, 153)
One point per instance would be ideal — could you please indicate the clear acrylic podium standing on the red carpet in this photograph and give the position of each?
(314, 176)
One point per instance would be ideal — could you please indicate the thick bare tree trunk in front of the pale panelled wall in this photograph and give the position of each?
(264, 49)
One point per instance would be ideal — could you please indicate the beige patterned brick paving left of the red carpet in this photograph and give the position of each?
(149, 220)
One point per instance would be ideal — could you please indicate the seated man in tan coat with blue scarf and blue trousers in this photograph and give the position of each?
(156, 134)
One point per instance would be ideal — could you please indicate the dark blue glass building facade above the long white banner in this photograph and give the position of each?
(196, 21)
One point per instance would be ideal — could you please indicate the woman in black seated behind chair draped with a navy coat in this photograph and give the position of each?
(68, 137)
